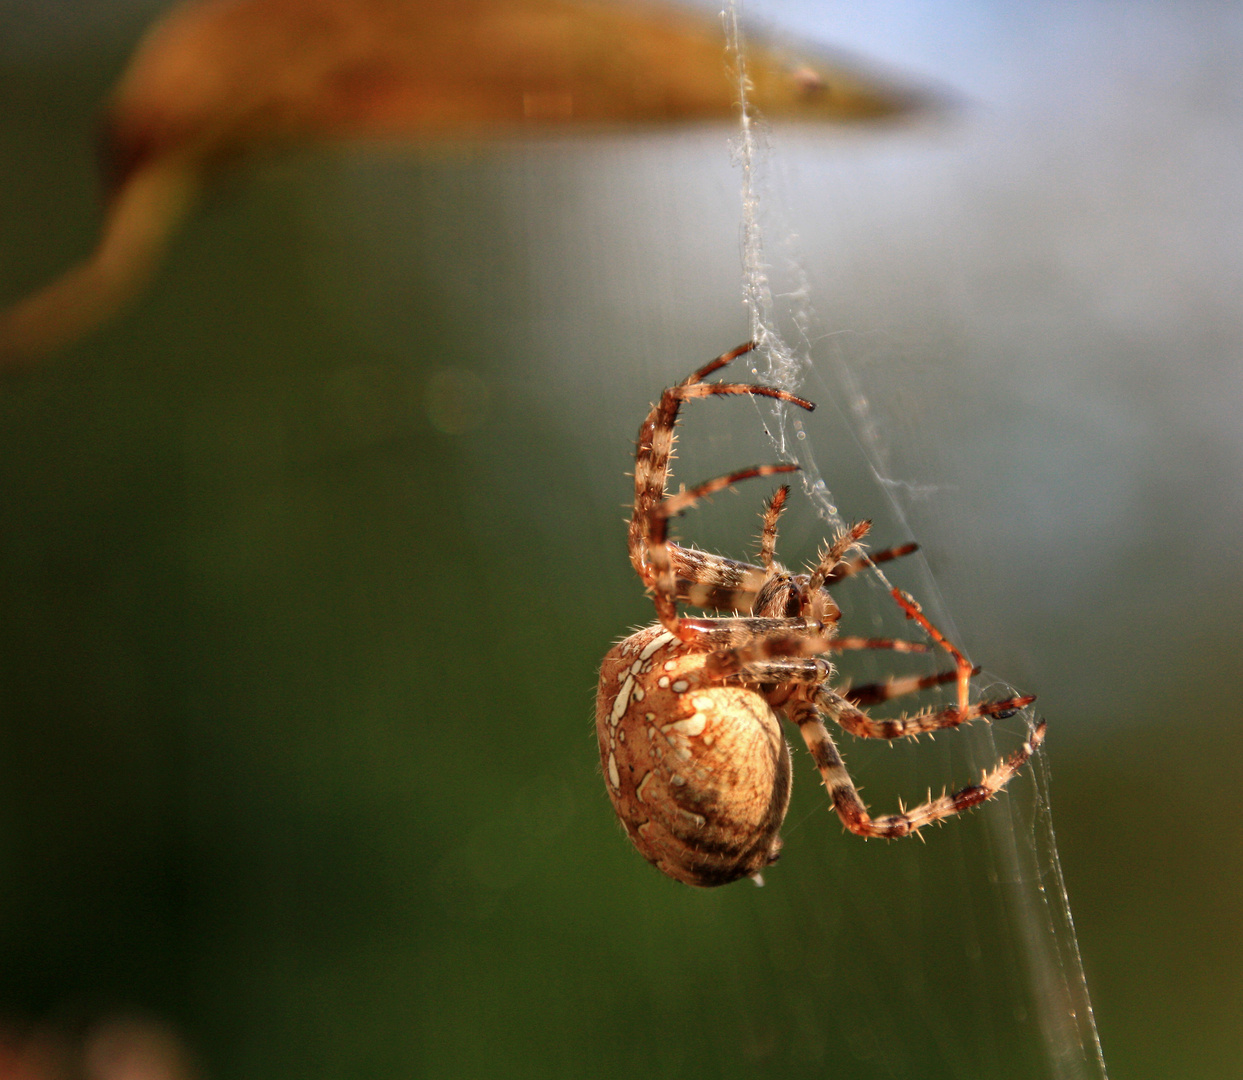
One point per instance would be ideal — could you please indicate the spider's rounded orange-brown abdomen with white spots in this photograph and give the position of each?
(698, 771)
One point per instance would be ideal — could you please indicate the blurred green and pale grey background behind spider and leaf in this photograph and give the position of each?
(308, 564)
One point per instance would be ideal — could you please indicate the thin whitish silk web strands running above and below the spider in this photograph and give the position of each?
(1022, 856)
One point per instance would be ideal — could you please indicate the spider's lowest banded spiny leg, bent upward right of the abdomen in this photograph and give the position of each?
(851, 808)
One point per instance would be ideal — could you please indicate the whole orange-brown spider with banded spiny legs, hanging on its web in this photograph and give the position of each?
(687, 712)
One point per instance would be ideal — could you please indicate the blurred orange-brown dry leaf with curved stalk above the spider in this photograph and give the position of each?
(221, 80)
